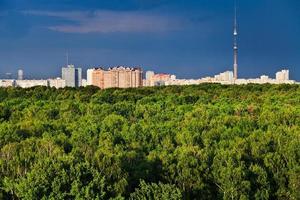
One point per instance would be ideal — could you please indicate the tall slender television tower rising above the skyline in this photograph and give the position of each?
(235, 44)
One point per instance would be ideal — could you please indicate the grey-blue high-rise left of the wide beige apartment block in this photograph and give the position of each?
(72, 76)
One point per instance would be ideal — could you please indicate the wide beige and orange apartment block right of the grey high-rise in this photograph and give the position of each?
(116, 77)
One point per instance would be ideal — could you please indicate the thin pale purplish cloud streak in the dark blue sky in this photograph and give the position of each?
(111, 21)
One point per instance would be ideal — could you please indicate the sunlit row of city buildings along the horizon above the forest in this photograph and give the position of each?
(132, 77)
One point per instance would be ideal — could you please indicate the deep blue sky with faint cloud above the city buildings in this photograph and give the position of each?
(189, 38)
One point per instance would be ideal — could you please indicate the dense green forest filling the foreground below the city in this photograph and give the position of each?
(181, 142)
